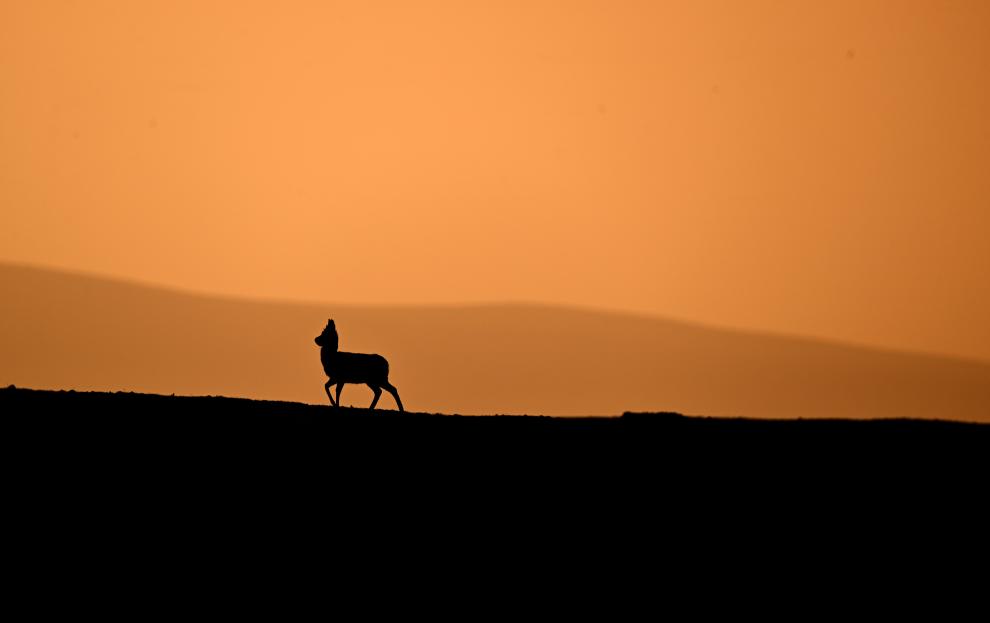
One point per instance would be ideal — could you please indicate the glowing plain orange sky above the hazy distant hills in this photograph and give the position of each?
(812, 168)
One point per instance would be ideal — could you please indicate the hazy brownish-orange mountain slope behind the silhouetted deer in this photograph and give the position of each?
(60, 330)
